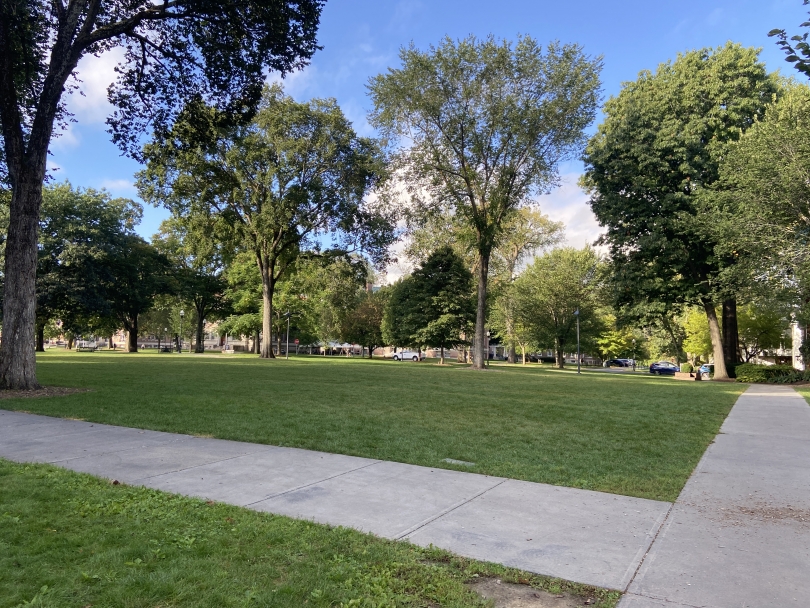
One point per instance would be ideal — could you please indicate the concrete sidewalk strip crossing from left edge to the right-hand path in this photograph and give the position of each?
(589, 537)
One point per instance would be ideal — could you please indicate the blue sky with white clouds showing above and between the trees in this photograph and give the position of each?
(361, 38)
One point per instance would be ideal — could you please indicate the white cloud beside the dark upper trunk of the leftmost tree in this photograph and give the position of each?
(90, 103)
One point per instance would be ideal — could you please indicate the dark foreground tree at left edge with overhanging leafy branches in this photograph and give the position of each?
(174, 51)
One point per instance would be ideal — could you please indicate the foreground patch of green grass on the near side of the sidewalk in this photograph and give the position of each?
(71, 540)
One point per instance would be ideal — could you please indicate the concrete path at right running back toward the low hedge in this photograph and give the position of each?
(739, 534)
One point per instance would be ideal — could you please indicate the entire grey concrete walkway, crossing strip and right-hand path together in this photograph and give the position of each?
(739, 534)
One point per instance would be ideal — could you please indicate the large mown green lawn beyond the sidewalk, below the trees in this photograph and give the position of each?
(633, 435)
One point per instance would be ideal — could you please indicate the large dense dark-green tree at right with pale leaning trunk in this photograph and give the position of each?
(660, 145)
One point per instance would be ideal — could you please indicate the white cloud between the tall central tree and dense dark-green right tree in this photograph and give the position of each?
(569, 204)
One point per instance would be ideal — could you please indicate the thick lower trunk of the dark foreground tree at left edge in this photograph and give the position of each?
(17, 356)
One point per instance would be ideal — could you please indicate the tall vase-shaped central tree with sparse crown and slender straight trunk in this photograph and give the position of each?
(484, 125)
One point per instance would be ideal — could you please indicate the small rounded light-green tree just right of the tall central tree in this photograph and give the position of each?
(550, 291)
